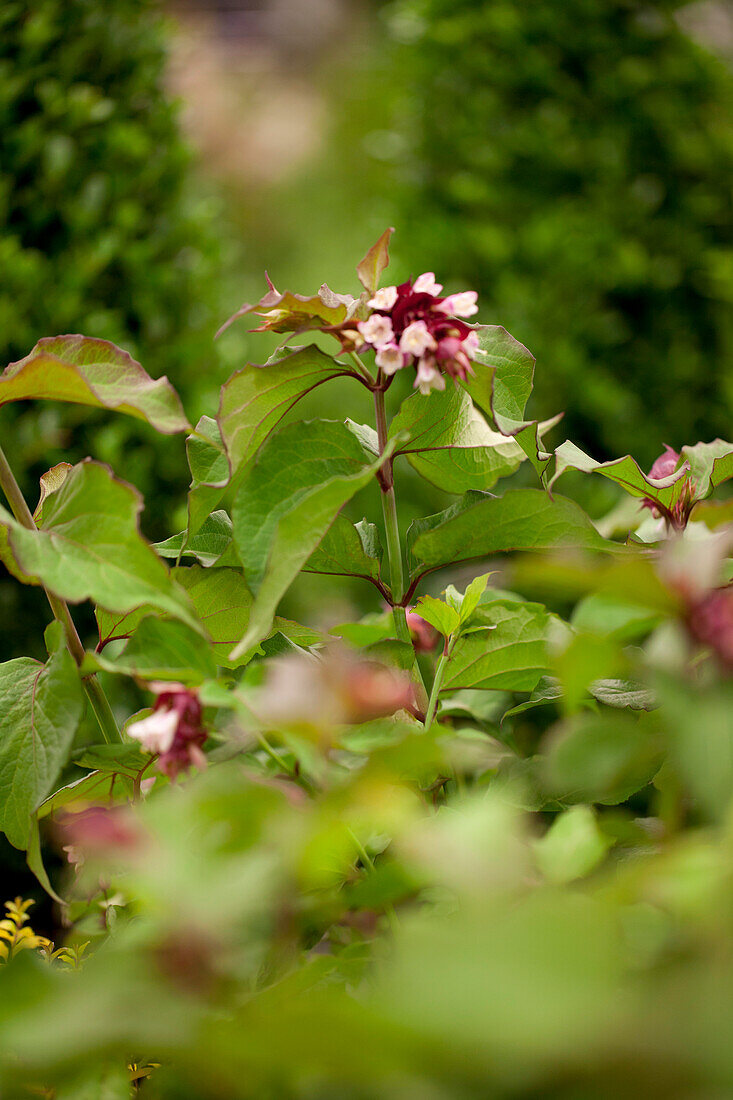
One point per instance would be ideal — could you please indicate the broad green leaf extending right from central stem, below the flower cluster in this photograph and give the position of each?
(480, 525)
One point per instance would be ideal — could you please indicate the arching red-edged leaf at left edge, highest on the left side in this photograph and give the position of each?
(93, 372)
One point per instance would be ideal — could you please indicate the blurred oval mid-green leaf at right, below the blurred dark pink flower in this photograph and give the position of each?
(603, 758)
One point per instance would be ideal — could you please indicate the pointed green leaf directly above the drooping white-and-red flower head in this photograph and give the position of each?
(160, 650)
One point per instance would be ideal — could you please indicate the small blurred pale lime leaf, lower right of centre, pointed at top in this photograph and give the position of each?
(573, 848)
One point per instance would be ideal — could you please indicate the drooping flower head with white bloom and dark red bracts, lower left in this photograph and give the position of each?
(174, 730)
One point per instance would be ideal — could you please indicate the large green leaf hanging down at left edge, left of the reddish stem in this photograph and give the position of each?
(41, 707)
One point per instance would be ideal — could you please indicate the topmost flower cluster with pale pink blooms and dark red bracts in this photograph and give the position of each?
(412, 325)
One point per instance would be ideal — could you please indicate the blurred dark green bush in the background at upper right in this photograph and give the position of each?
(573, 163)
